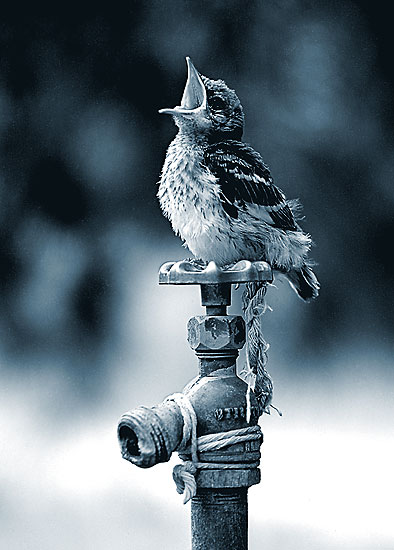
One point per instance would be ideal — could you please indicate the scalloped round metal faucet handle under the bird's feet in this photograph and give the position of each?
(191, 272)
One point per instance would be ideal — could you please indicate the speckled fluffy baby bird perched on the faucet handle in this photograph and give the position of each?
(219, 195)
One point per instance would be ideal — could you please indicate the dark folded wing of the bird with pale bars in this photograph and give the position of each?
(245, 180)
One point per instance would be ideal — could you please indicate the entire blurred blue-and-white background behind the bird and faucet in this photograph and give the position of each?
(86, 333)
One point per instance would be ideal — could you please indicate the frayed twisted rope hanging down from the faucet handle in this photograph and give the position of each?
(255, 373)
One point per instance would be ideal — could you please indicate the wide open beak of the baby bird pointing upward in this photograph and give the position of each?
(194, 99)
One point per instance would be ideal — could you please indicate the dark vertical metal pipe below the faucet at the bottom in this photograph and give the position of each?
(220, 519)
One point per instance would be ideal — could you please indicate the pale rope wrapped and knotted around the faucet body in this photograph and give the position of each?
(184, 474)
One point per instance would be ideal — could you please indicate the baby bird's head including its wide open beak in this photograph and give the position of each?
(208, 107)
